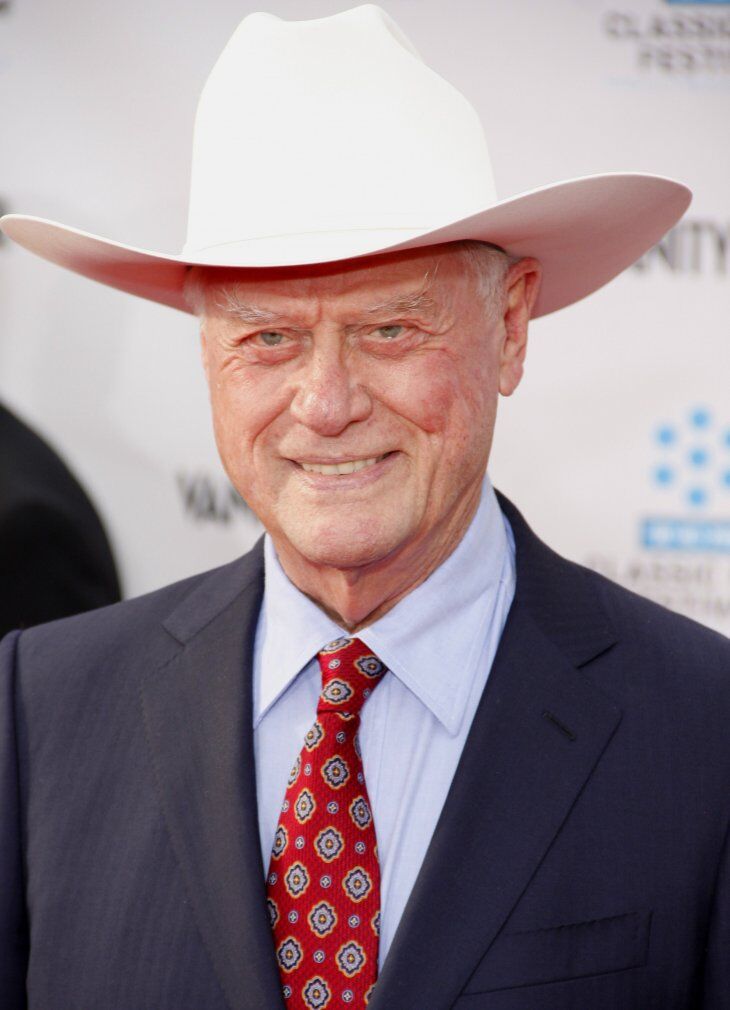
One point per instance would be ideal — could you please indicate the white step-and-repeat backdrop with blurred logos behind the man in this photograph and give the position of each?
(616, 447)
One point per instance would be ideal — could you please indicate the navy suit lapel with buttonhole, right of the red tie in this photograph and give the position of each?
(539, 734)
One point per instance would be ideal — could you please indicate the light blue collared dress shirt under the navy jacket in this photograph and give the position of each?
(439, 644)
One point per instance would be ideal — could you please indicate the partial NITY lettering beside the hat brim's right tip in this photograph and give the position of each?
(695, 246)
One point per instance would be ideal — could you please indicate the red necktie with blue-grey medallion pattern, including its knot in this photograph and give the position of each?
(324, 886)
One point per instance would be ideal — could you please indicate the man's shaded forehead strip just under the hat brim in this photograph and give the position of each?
(435, 273)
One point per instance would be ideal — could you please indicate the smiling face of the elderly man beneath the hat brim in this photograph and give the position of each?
(354, 409)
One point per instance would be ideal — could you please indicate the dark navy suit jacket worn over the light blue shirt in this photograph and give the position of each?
(581, 861)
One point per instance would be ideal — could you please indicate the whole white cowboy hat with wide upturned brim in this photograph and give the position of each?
(329, 140)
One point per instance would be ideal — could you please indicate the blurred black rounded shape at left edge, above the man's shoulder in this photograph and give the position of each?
(55, 557)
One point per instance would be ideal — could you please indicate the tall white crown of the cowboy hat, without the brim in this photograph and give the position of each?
(329, 126)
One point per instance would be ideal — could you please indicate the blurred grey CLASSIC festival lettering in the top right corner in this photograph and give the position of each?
(673, 42)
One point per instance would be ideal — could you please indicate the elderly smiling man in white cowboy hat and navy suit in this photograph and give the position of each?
(401, 755)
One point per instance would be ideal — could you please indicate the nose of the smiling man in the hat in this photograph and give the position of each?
(329, 396)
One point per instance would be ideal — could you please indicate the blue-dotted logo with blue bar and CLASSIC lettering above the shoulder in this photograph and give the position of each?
(682, 556)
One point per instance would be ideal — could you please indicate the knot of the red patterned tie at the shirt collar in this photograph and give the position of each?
(351, 672)
